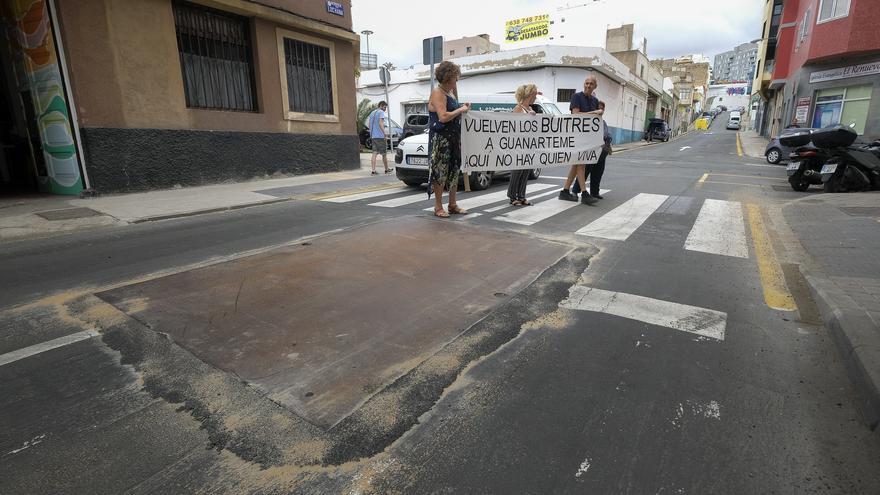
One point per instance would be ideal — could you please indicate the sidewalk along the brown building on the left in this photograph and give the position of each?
(42, 216)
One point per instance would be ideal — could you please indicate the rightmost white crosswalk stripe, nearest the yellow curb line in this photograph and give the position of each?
(719, 229)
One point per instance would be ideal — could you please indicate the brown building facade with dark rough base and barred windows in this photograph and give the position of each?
(150, 94)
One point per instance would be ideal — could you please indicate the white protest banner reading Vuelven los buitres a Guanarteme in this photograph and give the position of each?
(492, 141)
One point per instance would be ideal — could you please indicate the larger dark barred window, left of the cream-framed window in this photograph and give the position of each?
(215, 57)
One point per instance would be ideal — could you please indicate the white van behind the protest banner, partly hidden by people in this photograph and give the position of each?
(411, 157)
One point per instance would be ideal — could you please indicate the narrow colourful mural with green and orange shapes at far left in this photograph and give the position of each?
(30, 34)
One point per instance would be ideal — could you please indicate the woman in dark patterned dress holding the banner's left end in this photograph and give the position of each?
(444, 138)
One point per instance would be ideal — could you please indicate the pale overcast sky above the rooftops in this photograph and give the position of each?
(672, 27)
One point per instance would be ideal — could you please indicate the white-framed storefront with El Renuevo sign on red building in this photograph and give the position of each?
(841, 93)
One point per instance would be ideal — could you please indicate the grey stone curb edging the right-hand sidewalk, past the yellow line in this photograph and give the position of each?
(858, 339)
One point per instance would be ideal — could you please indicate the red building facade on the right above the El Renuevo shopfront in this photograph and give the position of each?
(827, 68)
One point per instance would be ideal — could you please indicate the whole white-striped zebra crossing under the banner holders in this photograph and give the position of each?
(719, 227)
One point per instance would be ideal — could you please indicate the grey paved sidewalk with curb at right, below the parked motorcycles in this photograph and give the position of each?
(840, 234)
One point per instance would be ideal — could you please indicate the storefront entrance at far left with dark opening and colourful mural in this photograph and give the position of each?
(39, 145)
